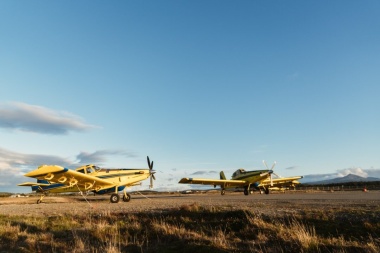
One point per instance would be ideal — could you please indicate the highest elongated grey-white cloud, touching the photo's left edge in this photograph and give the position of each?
(38, 119)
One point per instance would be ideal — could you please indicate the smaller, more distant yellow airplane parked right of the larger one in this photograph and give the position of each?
(240, 179)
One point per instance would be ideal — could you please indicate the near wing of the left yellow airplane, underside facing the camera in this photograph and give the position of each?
(58, 174)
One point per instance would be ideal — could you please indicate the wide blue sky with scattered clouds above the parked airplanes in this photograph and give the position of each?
(199, 86)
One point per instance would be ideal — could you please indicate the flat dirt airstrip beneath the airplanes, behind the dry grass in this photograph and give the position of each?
(276, 204)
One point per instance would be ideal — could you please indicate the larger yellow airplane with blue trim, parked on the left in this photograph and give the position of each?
(57, 179)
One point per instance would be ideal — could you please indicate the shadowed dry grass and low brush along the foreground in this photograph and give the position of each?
(194, 228)
